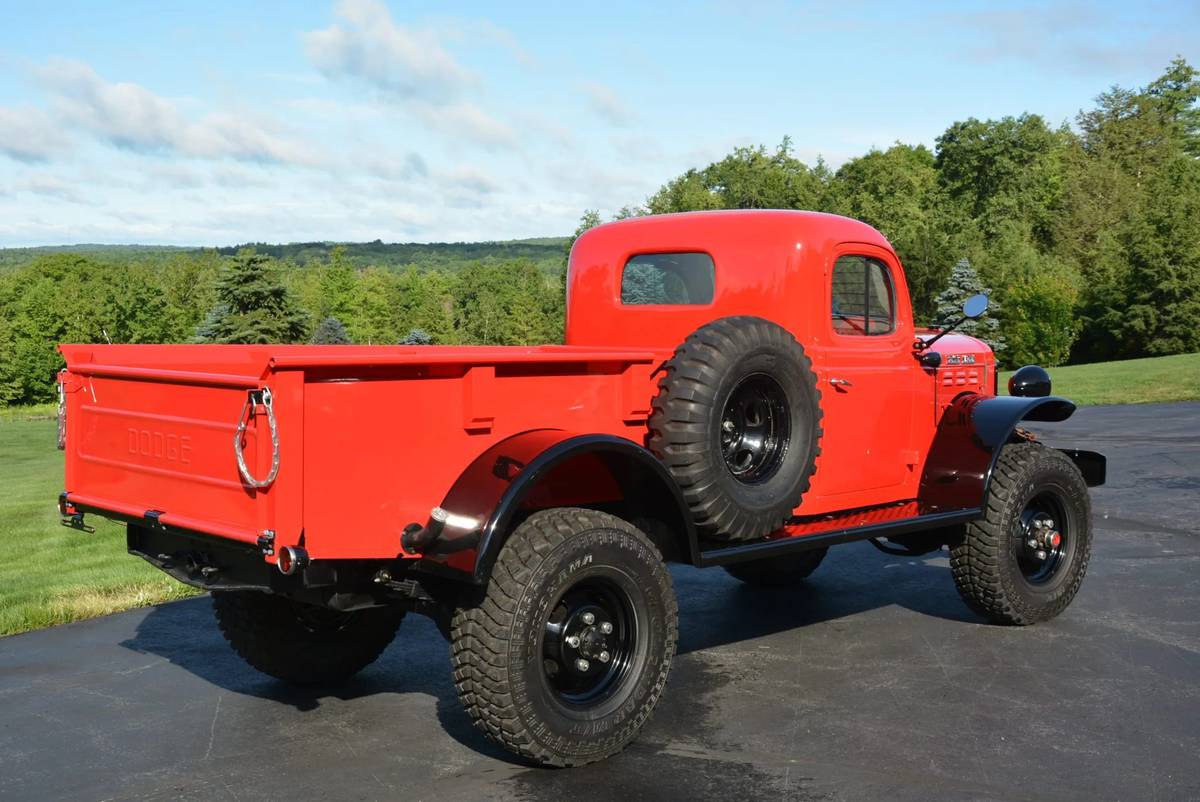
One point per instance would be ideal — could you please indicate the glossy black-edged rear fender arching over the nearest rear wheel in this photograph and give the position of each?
(548, 468)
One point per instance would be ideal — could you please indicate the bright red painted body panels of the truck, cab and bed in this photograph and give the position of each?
(373, 438)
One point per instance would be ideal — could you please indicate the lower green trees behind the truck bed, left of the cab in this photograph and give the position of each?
(250, 297)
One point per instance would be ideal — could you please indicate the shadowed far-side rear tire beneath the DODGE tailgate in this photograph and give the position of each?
(303, 644)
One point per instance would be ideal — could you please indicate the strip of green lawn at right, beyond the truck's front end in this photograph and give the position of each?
(1136, 381)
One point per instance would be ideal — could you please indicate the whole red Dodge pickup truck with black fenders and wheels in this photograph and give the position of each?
(740, 390)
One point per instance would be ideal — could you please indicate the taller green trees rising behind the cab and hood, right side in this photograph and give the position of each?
(1088, 236)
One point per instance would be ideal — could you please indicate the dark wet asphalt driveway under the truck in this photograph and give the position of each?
(871, 683)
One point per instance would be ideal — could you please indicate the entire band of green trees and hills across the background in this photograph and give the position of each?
(1088, 238)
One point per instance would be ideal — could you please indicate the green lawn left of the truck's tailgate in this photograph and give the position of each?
(51, 574)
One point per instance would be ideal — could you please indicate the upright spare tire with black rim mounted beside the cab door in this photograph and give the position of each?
(737, 422)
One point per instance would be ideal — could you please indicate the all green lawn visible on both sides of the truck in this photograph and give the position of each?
(50, 574)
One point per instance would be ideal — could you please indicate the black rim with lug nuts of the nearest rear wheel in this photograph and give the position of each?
(589, 643)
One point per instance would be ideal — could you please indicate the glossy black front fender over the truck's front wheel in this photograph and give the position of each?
(967, 446)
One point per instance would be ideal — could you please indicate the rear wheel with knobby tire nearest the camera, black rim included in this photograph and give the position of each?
(513, 660)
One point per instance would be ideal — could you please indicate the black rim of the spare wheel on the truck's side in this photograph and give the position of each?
(755, 429)
